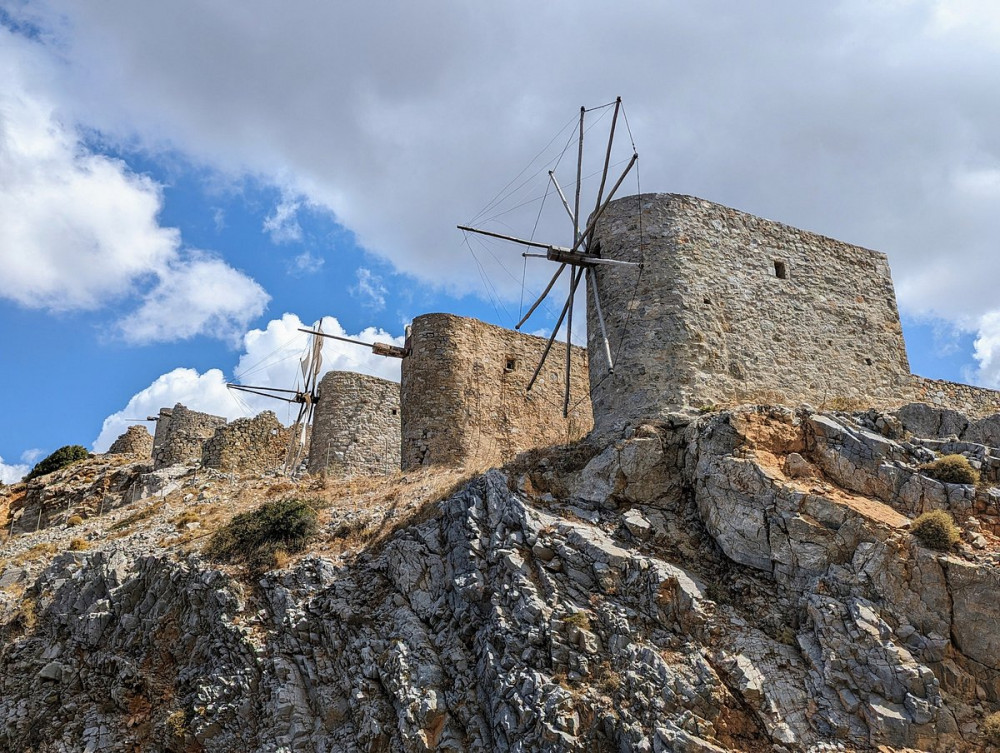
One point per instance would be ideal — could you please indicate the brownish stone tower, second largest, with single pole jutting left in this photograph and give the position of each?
(463, 394)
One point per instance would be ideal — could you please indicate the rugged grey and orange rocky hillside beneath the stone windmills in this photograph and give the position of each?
(737, 581)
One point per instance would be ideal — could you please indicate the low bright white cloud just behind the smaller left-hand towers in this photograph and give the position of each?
(270, 358)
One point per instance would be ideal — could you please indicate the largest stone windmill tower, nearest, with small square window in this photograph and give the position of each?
(733, 308)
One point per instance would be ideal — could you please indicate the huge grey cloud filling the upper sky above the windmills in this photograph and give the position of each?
(863, 121)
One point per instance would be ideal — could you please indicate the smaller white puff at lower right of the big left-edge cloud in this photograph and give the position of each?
(198, 295)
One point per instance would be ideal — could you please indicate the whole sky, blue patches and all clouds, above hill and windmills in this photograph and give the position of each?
(183, 185)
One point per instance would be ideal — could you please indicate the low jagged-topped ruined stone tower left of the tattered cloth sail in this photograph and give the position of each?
(247, 445)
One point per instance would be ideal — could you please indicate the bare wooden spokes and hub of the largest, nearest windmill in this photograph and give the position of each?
(581, 257)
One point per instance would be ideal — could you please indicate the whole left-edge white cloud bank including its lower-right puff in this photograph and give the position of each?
(79, 230)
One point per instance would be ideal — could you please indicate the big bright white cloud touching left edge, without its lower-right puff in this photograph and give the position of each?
(75, 228)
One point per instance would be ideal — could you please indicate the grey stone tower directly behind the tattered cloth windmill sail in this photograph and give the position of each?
(355, 426)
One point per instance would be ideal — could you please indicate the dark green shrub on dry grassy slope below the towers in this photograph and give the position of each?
(256, 537)
